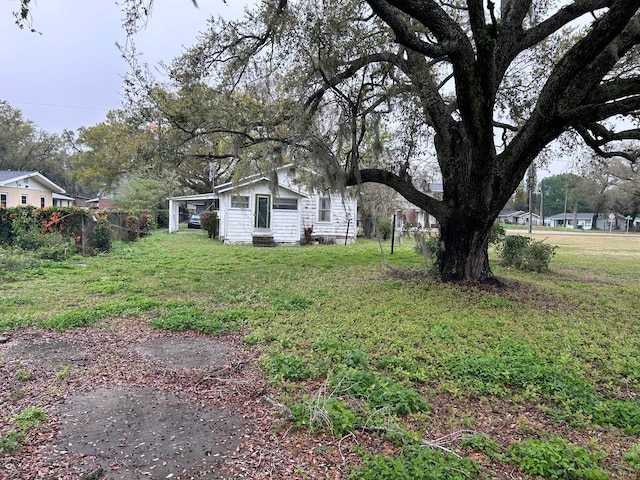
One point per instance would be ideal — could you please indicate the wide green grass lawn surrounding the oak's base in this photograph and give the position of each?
(540, 378)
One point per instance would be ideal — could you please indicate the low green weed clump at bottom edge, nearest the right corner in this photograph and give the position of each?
(556, 459)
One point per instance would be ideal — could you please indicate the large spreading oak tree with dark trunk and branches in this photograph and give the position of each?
(486, 88)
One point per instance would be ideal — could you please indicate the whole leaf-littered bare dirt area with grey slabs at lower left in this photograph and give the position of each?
(130, 402)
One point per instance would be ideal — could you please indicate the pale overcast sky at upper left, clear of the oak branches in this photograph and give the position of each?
(71, 74)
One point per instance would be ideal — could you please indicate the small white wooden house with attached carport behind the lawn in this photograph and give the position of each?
(254, 211)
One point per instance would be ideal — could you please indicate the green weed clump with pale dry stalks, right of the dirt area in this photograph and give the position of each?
(324, 411)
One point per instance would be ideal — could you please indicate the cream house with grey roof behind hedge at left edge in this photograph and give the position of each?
(30, 188)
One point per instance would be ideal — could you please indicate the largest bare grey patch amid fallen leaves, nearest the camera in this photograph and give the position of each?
(133, 432)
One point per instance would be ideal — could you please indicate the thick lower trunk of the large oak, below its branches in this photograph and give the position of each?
(463, 252)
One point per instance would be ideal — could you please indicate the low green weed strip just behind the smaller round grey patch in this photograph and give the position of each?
(183, 318)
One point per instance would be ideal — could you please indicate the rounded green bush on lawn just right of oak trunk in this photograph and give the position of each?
(526, 254)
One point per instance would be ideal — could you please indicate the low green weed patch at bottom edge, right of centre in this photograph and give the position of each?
(416, 463)
